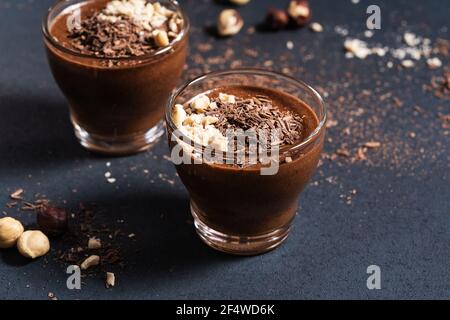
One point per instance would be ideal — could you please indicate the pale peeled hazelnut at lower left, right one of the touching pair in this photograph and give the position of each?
(33, 244)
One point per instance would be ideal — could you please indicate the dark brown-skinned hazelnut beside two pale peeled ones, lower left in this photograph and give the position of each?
(52, 220)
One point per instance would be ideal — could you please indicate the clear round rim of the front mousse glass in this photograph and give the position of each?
(252, 71)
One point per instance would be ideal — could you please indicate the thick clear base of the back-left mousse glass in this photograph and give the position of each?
(123, 146)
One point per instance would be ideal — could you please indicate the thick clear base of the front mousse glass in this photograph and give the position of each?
(236, 244)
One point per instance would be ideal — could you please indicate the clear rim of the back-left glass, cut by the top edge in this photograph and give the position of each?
(152, 55)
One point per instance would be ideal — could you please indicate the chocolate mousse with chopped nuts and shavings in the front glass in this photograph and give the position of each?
(234, 203)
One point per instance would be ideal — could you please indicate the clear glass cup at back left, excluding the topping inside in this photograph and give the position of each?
(116, 104)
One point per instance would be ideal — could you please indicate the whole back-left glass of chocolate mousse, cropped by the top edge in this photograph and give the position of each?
(117, 62)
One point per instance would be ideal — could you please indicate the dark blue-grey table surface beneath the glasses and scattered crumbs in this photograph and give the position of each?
(399, 218)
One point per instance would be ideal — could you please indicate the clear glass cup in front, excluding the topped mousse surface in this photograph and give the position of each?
(236, 209)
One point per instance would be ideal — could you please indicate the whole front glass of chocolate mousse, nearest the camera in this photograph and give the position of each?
(245, 143)
